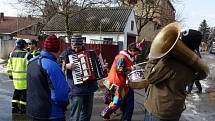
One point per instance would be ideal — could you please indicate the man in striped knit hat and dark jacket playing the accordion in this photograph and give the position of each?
(81, 95)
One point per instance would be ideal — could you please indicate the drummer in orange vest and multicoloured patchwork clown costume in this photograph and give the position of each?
(123, 96)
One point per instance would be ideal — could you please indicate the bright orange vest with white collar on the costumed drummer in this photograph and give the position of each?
(113, 76)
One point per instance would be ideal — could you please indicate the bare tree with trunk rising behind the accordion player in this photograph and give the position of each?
(68, 8)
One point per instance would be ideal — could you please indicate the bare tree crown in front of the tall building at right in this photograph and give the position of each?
(151, 10)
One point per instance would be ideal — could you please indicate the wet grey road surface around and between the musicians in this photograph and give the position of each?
(200, 107)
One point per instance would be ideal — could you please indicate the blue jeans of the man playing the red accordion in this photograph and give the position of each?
(81, 107)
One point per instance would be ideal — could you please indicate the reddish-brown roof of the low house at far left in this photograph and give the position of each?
(18, 26)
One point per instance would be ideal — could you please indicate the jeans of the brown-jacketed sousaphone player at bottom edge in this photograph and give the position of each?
(150, 117)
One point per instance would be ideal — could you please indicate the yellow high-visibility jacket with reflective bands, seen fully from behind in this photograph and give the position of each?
(17, 68)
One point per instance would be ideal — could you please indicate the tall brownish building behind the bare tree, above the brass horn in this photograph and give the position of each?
(164, 14)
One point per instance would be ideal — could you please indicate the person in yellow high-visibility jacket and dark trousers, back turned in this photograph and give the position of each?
(17, 69)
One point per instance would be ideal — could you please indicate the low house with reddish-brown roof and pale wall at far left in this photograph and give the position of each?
(21, 27)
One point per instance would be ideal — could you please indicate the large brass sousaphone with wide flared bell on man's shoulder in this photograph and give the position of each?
(168, 41)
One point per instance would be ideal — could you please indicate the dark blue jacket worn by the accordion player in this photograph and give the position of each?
(87, 88)
